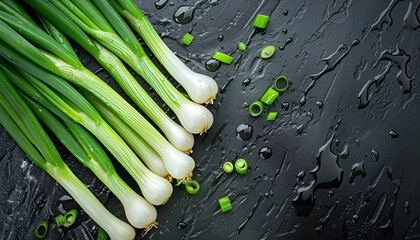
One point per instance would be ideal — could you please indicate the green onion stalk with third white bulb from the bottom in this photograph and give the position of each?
(154, 188)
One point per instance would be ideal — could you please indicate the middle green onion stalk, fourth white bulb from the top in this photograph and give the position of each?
(179, 164)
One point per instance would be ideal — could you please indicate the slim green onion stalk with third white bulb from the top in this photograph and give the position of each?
(177, 135)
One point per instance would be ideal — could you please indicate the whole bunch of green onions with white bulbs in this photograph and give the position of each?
(40, 70)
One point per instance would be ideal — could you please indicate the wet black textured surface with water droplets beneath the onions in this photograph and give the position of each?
(343, 145)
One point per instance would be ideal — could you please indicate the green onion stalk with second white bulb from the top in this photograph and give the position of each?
(111, 31)
